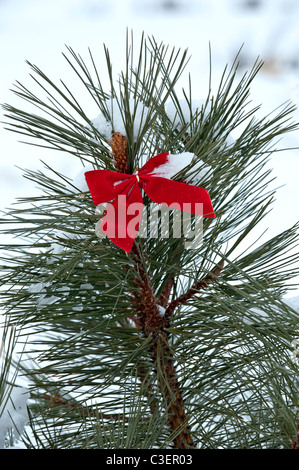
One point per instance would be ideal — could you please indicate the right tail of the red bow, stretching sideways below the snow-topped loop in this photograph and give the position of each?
(177, 195)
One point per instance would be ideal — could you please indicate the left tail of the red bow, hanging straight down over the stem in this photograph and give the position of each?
(122, 218)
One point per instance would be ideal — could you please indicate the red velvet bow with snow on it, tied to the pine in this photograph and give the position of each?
(120, 223)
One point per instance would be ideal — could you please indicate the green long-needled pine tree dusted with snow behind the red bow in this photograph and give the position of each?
(160, 346)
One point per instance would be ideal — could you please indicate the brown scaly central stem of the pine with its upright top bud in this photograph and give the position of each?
(152, 324)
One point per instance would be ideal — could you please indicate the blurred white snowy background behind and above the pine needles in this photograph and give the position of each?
(38, 30)
